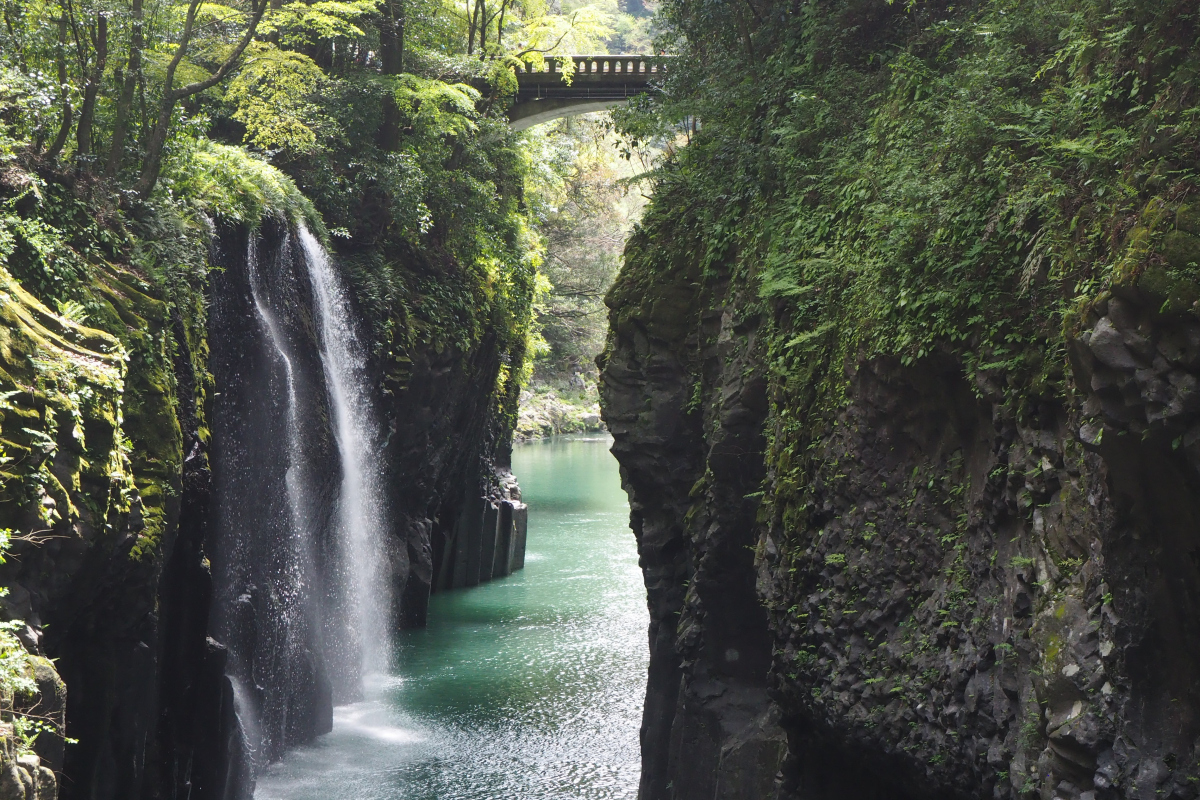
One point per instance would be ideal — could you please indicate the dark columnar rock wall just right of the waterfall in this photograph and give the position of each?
(449, 412)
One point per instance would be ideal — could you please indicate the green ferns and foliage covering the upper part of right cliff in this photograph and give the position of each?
(909, 182)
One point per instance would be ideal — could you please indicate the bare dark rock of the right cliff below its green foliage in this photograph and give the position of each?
(975, 603)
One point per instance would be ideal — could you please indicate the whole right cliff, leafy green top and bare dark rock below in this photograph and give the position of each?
(908, 429)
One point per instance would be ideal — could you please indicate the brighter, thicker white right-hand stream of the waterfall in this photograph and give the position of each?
(361, 510)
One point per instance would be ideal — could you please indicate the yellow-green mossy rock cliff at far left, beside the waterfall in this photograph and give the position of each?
(100, 509)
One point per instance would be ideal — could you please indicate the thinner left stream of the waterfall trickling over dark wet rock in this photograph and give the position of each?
(266, 610)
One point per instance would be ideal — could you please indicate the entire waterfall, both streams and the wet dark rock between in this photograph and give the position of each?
(299, 557)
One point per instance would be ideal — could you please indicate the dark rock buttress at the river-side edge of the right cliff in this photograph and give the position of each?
(686, 401)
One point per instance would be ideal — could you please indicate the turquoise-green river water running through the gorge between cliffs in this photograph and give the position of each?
(530, 688)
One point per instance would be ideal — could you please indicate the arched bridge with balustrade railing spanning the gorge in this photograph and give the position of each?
(601, 82)
